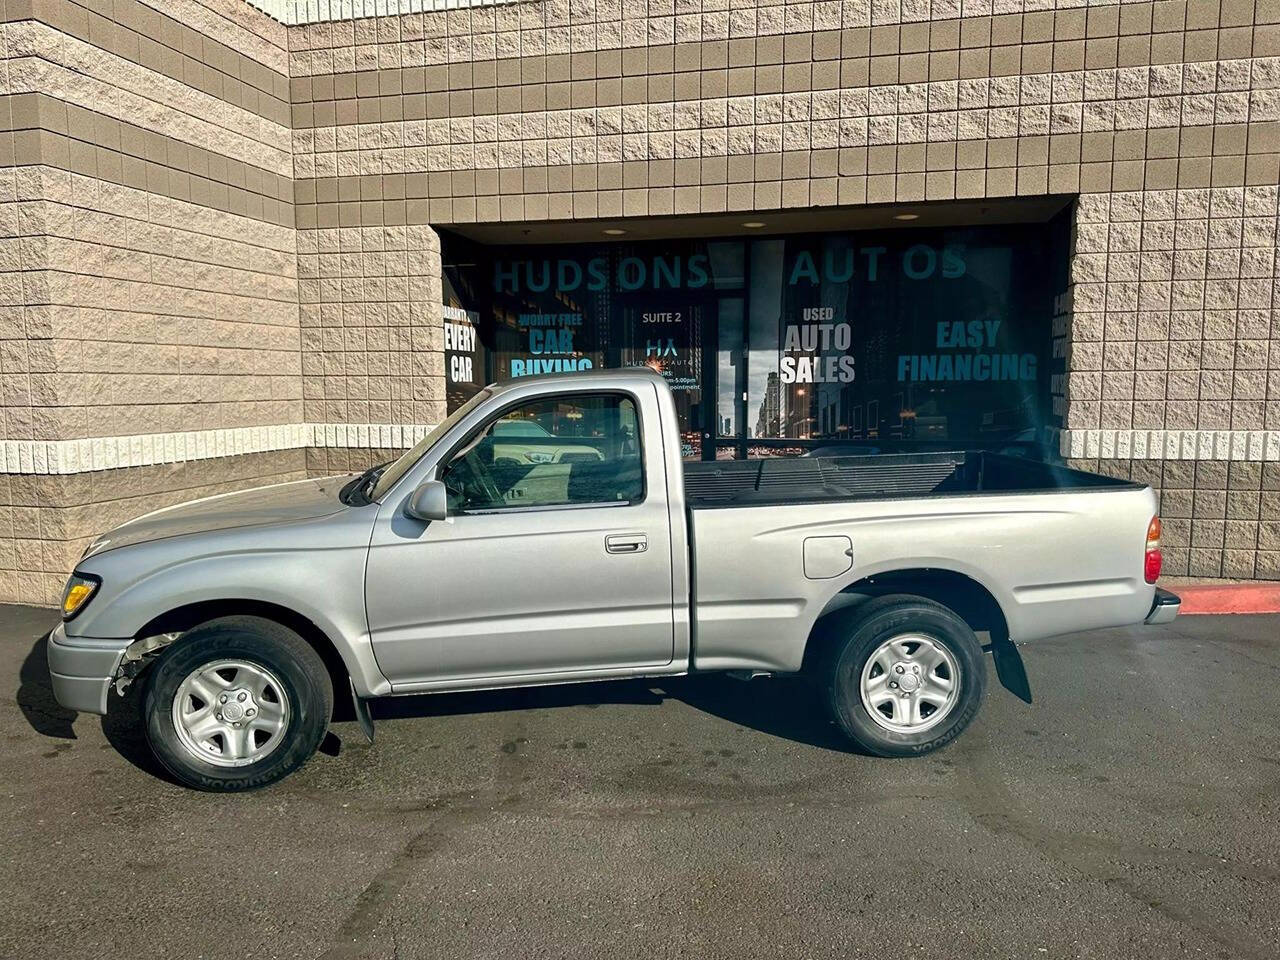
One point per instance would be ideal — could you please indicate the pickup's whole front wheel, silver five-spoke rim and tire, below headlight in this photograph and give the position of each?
(236, 705)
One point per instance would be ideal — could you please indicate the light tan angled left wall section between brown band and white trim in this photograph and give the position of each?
(153, 314)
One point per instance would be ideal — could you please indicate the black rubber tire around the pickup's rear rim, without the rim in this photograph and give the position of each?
(877, 621)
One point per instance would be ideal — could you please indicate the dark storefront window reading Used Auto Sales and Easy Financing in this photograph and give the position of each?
(913, 336)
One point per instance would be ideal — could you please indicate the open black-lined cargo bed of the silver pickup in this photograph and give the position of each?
(742, 483)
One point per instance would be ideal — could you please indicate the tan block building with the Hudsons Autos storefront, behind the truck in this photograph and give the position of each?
(246, 244)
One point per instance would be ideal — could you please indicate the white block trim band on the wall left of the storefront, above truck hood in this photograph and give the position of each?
(66, 458)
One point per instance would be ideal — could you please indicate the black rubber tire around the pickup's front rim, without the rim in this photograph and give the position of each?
(303, 678)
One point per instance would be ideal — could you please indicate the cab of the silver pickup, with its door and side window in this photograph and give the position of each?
(559, 569)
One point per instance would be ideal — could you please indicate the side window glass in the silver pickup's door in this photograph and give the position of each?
(552, 452)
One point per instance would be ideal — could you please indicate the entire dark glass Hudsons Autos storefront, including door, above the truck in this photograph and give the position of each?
(778, 345)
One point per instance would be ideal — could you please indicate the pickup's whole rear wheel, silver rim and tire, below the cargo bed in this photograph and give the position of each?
(908, 679)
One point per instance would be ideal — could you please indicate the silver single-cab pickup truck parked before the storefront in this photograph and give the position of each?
(548, 533)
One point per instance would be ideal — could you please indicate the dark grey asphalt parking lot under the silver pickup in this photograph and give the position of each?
(1132, 811)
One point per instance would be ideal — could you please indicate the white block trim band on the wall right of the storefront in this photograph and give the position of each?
(1172, 445)
